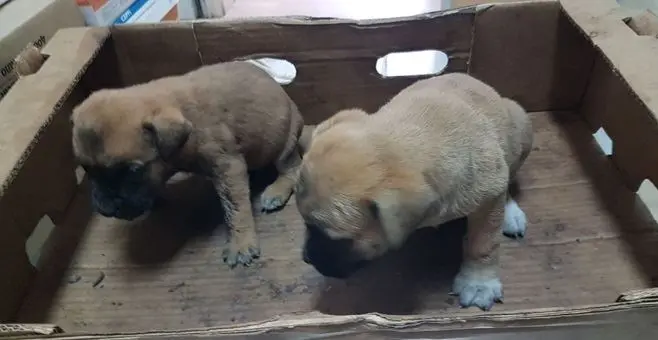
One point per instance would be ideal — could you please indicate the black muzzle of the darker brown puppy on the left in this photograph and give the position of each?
(126, 203)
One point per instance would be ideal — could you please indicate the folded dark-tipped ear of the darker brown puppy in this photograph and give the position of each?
(169, 131)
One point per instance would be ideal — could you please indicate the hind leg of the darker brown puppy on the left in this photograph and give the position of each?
(277, 194)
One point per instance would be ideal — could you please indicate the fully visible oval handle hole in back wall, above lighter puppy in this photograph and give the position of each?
(412, 63)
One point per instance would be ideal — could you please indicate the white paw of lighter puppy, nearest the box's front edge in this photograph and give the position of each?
(477, 290)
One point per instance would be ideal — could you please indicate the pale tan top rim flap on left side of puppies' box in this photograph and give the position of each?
(33, 100)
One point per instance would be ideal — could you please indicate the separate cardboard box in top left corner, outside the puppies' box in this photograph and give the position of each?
(25, 21)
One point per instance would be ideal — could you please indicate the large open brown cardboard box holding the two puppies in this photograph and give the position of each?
(588, 259)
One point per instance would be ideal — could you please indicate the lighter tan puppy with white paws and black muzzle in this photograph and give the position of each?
(443, 148)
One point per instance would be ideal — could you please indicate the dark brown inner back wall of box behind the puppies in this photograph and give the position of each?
(336, 64)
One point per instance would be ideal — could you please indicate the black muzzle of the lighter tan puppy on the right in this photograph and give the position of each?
(331, 258)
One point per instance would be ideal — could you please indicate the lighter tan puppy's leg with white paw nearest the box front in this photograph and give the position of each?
(478, 282)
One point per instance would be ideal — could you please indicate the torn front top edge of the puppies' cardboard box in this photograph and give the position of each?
(637, 304)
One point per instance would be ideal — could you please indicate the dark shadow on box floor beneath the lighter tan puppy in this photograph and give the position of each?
(399, 282)
